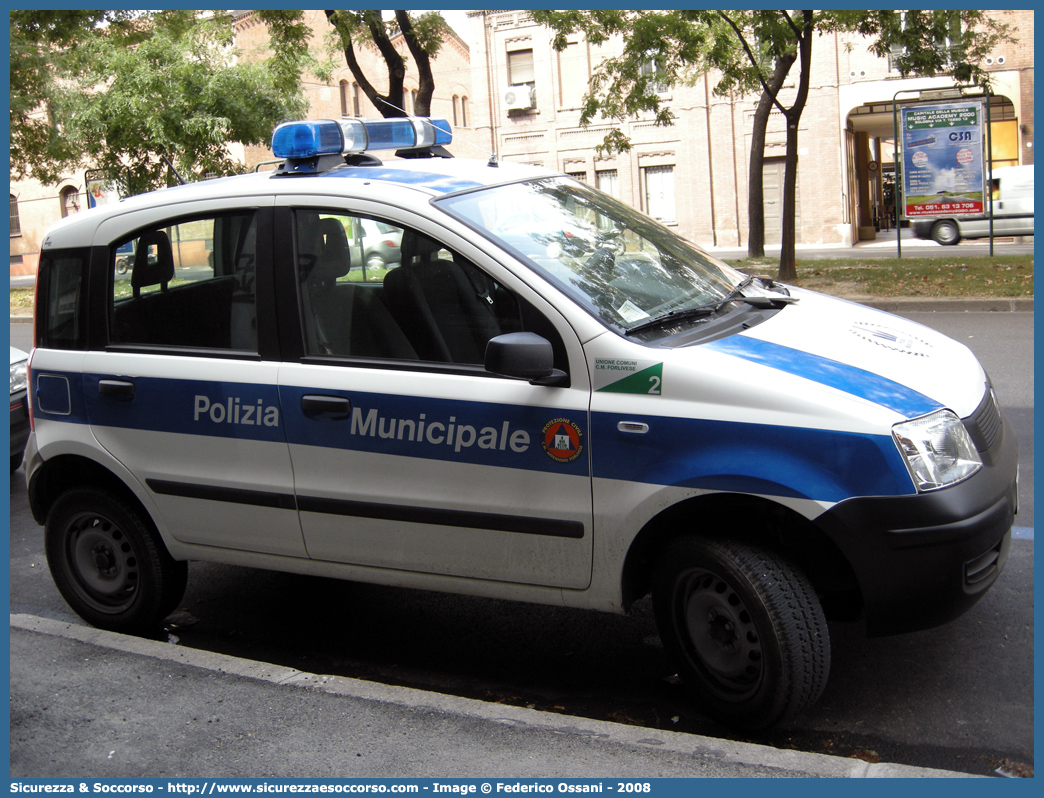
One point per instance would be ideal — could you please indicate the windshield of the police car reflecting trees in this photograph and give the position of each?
(628, 270)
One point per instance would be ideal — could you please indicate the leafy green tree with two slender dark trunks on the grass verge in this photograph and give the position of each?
(754, 51)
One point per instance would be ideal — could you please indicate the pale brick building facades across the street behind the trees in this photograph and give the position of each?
(507, 91)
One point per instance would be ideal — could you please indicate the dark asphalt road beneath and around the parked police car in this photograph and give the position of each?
(960, 697)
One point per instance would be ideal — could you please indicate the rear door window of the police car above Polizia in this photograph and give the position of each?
(188, 285)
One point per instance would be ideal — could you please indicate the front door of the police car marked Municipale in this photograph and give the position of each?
(407, 454)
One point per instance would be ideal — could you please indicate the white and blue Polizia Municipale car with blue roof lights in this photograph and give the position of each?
(550, 398)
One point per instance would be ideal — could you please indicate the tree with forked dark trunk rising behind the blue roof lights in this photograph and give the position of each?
(423, 34)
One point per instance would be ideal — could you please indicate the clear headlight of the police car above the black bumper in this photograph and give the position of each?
(938, 451)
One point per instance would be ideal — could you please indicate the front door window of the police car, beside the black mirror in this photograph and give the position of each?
(372, 290)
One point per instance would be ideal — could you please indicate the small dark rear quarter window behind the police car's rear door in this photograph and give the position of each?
(62, 300)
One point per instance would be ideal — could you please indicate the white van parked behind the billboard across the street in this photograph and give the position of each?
(1012, 192)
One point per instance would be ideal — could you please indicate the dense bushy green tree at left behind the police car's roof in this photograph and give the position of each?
(129, 91)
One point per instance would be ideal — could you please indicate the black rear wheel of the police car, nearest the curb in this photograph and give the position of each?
(109, 562)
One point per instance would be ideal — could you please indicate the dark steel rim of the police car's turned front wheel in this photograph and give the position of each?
(724, 645)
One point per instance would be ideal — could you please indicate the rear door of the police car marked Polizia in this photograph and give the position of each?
(180, 393)
